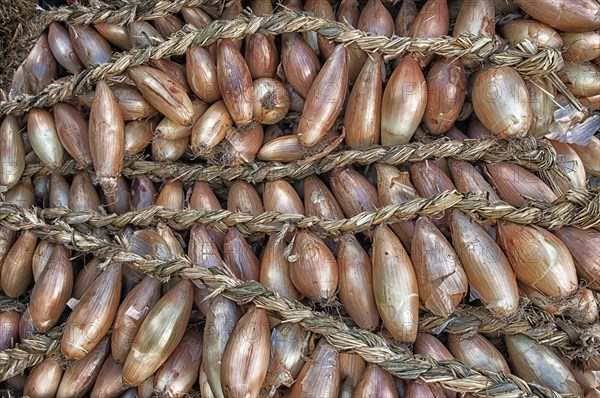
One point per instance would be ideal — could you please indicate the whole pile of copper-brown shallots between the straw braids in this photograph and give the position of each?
(284, 99)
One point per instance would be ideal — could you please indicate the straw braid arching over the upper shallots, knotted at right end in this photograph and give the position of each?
(542, 63)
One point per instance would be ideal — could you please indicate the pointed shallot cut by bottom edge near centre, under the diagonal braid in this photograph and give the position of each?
(320, 375)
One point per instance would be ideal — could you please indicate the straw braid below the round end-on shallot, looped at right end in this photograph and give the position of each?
(533, 154)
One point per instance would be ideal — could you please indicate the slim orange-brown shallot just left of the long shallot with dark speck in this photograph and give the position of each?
(356, 283)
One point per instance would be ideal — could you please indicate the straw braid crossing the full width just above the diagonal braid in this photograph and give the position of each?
(579, 208)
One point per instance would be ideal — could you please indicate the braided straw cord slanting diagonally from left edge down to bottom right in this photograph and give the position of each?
(373, 348)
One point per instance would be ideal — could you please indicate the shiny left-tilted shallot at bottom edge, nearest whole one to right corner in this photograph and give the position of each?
(537, 363)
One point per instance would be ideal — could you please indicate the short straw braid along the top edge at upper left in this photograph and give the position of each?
(98, 11)
